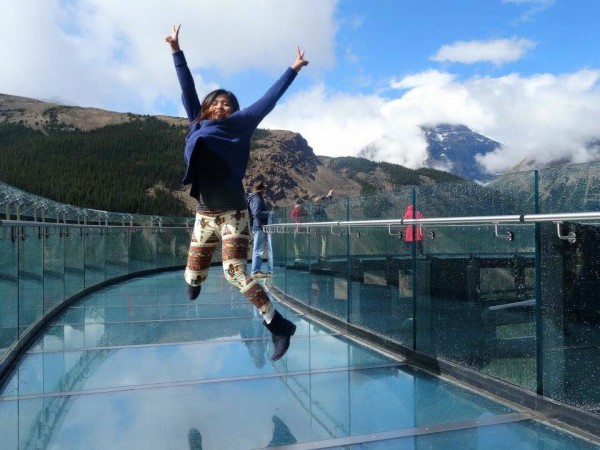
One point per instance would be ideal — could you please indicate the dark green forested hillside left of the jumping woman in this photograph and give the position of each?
(130, 167)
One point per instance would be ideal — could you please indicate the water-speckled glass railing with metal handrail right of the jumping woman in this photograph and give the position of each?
(505, 282)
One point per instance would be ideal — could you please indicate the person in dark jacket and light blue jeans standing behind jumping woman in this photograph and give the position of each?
(260, 216)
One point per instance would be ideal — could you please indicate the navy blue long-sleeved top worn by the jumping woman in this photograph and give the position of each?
(217, 151)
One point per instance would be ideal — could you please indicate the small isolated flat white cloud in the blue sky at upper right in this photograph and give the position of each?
(498, 51)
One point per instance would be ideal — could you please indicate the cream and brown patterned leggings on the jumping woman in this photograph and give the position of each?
(231, 229)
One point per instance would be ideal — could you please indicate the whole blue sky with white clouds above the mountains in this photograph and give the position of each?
(525, 73)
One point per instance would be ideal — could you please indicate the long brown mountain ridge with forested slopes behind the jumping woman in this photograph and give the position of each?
(126, 162)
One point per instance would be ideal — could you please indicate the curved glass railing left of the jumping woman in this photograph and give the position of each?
(51, 251)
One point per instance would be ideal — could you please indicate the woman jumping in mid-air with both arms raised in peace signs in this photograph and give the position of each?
(216, 154)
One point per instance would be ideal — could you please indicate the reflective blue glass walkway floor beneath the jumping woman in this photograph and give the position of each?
(137, 365)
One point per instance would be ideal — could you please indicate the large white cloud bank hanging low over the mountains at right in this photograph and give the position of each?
(543, 117)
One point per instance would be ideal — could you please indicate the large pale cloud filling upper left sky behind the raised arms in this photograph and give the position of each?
(111, 54)
